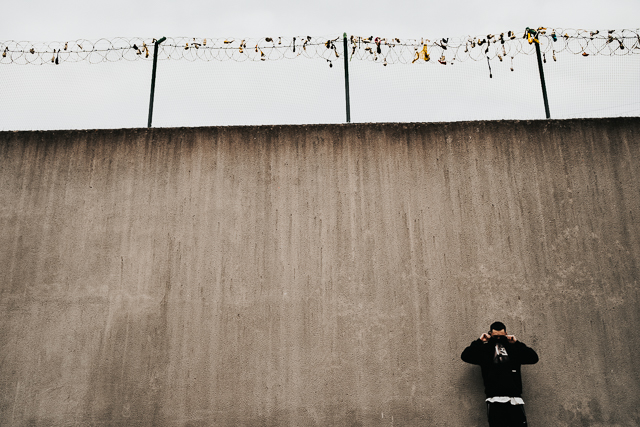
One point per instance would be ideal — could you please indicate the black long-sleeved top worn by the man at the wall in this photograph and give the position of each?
(500, 378)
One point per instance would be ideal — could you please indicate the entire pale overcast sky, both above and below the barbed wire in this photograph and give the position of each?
(107, 95)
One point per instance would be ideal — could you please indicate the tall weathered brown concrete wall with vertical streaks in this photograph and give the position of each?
(317, 275)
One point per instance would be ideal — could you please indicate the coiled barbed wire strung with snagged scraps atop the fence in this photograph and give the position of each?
(386, 51)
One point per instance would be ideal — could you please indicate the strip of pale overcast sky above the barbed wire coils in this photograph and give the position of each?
(46, 20)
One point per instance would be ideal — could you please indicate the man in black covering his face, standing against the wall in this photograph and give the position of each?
(500, 356)
